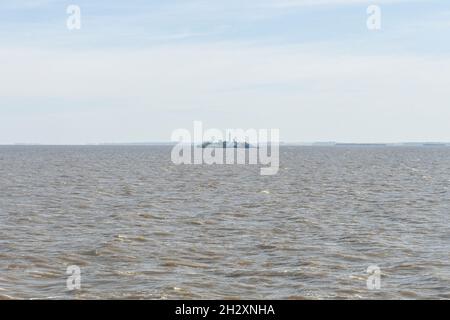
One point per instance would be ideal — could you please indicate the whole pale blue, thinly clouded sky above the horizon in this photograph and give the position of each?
(138, 70)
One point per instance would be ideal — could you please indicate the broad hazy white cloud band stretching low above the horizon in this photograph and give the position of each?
(309, 96)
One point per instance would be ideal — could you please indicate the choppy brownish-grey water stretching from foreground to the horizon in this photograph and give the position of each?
(142, 228)
